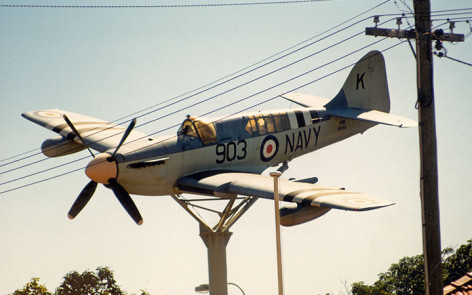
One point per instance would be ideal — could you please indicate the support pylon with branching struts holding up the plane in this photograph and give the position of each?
(216, 238)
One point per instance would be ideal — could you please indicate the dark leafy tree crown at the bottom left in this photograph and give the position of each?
(101, 282)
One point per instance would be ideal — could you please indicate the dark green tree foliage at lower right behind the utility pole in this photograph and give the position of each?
(407, 276)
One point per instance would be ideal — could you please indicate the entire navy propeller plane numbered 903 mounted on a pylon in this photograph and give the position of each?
(224, 157)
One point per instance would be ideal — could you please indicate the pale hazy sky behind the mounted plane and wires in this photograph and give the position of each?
(112, 63)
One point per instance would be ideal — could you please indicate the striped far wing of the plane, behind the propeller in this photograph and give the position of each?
(98, 134)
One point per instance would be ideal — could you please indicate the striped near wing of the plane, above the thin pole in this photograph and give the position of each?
(221, 184)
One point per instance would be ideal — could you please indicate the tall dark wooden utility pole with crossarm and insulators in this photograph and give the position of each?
(427, 136)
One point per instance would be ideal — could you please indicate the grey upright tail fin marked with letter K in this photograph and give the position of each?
(366, 86)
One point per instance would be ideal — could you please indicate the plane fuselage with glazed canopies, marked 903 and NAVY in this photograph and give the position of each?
(246, 143)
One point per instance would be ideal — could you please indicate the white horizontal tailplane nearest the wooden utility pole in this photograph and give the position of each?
(372, 116)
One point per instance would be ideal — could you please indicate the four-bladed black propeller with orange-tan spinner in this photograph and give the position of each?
(103, 169)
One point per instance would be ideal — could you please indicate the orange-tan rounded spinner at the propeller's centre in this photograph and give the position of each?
(99, 169)
